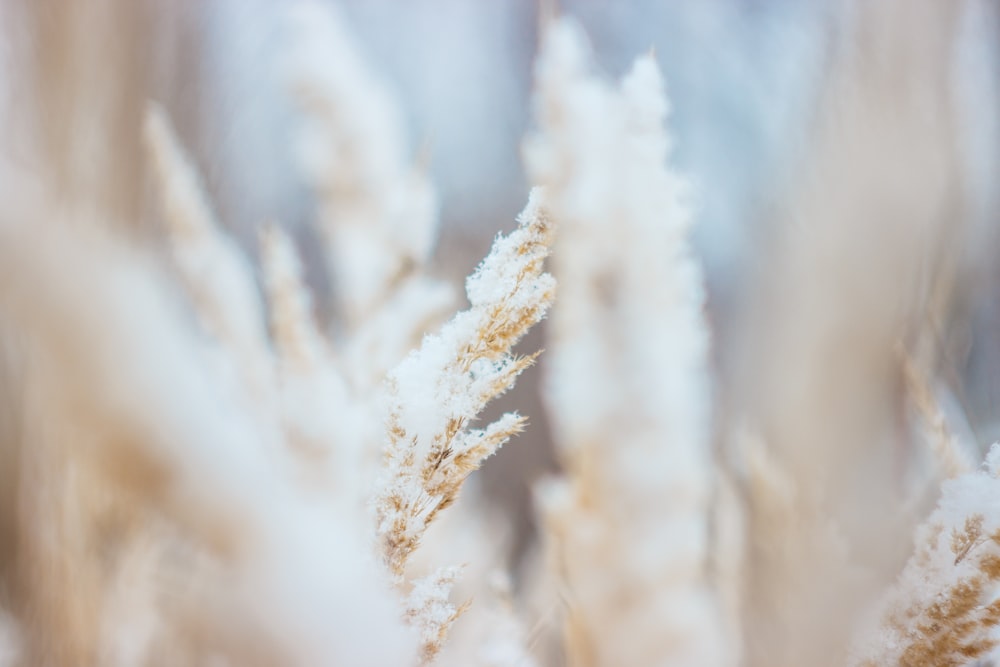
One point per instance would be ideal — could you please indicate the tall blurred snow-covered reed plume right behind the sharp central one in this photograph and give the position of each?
(635, 444)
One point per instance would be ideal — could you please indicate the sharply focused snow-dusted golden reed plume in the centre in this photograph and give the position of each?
(436, 392)
